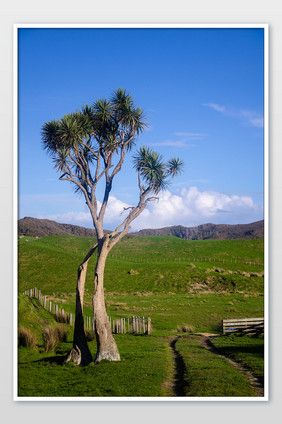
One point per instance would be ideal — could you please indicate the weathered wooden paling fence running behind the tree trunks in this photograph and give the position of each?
(134, 324)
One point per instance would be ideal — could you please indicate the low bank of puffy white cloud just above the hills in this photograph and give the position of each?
(190, 207)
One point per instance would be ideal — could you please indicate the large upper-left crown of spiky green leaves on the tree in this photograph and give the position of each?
(106, 127)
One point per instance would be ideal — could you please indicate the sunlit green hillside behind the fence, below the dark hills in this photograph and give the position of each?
(160, 264)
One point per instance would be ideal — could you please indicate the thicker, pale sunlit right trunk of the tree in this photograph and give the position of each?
(106, 345)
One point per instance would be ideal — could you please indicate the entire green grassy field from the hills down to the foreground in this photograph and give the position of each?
(180, 284)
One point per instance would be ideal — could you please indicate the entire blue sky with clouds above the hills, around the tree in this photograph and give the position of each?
(202, 91)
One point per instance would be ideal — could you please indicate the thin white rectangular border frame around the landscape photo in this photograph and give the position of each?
(266, 212)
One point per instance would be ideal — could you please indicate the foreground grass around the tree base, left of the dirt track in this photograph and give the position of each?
(141, 372)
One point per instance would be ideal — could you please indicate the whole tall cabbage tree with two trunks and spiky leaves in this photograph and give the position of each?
(88, 148)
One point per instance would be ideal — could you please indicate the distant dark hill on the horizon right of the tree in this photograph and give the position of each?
(254, 230)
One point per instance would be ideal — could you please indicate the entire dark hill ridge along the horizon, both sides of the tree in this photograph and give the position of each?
(42, 227)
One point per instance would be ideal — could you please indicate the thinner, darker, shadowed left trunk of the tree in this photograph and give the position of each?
(80, 353)
